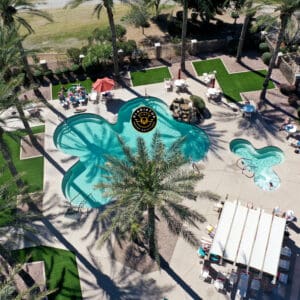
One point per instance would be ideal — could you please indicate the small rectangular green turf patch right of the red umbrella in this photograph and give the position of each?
(150, 76)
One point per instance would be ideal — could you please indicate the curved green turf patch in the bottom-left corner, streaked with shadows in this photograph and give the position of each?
(60, 268)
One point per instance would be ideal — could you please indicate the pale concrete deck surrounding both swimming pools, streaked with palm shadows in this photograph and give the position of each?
(104, 278)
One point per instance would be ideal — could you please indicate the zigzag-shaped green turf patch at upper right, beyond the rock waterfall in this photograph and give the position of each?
(233, 84)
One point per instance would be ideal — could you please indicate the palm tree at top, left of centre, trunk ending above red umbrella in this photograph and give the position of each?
(108, 4)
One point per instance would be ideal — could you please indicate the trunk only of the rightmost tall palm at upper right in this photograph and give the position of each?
(284, 20)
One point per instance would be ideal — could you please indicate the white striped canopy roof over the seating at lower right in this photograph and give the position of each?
(250, 237)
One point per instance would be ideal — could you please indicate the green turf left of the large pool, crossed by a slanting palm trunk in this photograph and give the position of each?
(30, 169)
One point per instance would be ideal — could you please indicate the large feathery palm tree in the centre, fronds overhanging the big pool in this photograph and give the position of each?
(145, 185)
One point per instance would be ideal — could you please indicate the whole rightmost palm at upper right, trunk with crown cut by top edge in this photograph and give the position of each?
(286, 8)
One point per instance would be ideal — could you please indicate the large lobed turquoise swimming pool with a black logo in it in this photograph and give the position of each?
(90, 137)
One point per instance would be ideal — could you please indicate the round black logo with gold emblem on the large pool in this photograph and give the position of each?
(144, 119)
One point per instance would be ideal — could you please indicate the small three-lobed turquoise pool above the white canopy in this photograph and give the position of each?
(259, 162)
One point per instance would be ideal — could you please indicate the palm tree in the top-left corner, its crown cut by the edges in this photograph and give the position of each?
(10, 17)
